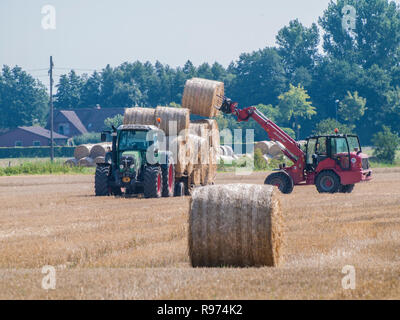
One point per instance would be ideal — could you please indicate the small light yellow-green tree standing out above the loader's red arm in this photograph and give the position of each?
(295, 105)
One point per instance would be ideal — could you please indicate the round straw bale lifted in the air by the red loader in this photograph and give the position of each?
(201, 96)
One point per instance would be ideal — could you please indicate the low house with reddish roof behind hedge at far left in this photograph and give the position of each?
(30, 137)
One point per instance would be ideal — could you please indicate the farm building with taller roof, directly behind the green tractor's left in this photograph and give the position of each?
(79, 121)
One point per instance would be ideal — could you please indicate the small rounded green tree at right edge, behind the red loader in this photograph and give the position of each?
(386, 143)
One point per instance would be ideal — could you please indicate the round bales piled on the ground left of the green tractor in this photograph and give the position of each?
(88, 155)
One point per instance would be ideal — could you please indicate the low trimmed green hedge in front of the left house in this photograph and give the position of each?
(36, 152)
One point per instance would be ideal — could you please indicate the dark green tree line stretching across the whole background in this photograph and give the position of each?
(349, 80)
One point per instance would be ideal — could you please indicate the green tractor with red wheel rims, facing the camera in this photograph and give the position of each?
(136, 165)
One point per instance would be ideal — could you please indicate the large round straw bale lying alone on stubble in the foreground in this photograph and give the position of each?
(235, 225)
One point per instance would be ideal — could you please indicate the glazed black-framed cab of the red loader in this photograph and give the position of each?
(336, 147)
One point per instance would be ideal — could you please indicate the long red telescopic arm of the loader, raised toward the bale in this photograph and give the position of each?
(291, 148)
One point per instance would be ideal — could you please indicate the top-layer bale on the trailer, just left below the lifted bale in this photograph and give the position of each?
(174, 121)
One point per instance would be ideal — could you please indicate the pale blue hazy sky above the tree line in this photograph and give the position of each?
(92, 33)
